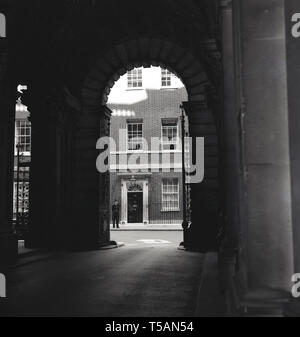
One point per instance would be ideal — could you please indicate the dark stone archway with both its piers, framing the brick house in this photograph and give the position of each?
(90, 223)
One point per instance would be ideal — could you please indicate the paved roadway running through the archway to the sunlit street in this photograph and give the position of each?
(148, 276)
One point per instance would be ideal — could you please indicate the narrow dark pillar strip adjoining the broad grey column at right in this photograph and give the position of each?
(230, 150)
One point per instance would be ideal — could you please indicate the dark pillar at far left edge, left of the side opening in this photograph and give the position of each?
(8, 241)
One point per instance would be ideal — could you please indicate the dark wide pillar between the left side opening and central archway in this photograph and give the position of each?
(49, 117)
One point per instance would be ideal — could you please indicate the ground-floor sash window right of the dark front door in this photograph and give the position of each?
(170, 195)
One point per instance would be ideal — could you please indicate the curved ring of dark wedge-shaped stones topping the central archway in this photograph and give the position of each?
(145, 52)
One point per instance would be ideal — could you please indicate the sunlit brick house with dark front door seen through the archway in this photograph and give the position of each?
(145, 122)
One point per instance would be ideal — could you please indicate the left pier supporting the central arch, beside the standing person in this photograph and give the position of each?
(90, 204)
